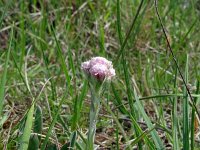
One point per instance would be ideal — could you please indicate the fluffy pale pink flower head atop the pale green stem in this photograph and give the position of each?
(99, 68)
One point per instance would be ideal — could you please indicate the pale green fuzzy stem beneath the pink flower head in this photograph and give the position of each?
(94, 110)
